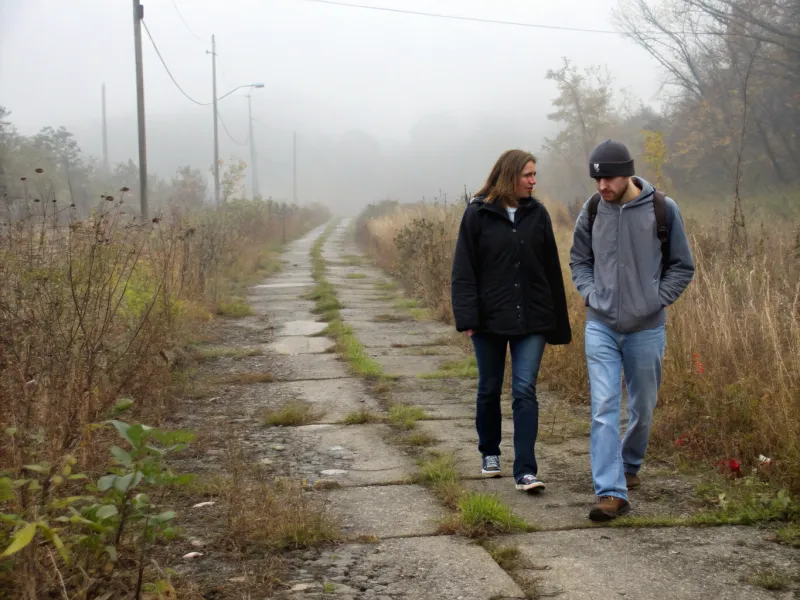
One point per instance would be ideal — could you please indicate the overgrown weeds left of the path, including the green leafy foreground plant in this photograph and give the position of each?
(94, 313)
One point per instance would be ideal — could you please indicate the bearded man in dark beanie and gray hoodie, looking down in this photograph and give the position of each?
(630, 259)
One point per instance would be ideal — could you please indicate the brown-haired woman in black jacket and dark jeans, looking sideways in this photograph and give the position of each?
(507, 289)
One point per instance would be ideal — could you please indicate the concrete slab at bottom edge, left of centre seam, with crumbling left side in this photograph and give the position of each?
(444, 568)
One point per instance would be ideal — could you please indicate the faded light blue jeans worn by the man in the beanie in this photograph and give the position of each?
(608, 354)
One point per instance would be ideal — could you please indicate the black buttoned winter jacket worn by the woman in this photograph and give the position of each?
(506, 277)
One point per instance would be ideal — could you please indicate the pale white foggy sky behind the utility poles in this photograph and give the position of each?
(383, 104)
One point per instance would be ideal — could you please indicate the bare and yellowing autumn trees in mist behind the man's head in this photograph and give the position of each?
(731, 116)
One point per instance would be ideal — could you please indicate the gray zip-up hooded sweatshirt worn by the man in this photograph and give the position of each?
(620, 275)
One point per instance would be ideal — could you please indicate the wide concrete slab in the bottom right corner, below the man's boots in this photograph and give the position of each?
(657, 564)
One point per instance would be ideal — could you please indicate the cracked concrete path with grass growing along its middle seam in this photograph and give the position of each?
(394, 549)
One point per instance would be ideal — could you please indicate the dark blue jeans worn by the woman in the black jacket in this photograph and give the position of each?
(526, 356)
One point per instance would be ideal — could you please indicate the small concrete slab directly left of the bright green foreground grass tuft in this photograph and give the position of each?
(366, 510)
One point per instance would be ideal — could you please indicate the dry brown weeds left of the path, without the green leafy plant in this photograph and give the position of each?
(91, 312)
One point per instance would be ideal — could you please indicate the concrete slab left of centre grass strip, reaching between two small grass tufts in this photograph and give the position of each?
(335, 398)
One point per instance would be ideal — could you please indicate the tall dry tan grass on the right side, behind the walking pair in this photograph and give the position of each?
(732, 369)
